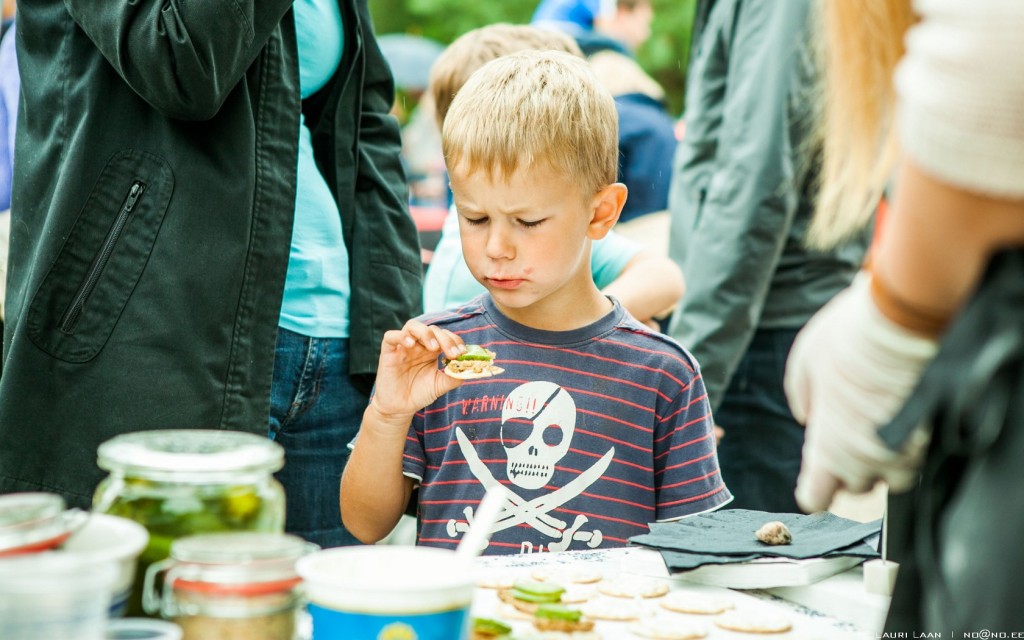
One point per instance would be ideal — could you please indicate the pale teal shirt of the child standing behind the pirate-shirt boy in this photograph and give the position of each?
(449, 282)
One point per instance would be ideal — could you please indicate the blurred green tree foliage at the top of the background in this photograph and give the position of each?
(664, 56)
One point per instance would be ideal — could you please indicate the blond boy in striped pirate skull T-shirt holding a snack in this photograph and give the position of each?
(599, 425)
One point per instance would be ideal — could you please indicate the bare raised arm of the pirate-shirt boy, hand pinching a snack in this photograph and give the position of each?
(374, 490)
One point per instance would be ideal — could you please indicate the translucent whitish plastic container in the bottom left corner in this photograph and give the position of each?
(55, 596)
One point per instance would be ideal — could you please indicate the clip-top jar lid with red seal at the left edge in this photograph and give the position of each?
(31, 523)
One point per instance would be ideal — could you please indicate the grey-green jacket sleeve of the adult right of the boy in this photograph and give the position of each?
(733, 235)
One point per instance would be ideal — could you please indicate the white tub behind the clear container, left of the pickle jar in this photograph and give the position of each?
(112, 539)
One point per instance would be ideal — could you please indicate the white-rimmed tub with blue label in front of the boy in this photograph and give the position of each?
(389, 592)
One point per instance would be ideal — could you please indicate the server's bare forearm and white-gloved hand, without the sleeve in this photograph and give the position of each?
(858, 361)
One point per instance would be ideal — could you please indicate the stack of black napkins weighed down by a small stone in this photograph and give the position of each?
(726, 537)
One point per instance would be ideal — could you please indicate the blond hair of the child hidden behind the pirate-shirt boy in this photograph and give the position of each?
(476, 49)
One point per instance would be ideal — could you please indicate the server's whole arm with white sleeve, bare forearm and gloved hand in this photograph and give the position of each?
(959, 198)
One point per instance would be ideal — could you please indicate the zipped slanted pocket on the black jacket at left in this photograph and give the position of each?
(88, 287)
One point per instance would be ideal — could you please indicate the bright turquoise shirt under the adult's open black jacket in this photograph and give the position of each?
(317, 287)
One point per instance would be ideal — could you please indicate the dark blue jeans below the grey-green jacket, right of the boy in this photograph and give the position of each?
(760, 454)
